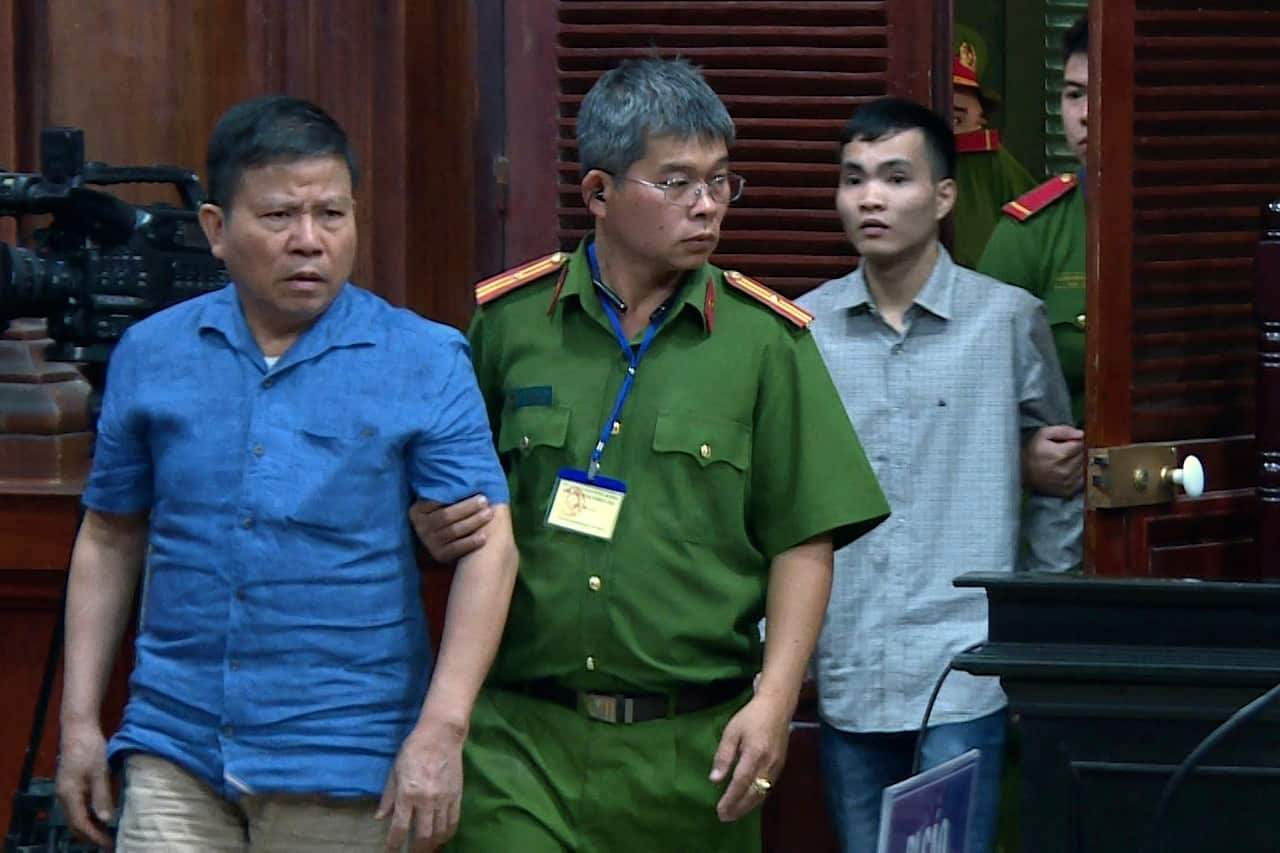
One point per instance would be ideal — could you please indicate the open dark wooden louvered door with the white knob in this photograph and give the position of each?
(1187, 127)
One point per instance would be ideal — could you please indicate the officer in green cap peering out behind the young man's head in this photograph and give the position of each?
(988, 176)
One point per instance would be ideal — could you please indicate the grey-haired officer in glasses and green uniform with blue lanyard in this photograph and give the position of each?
(680, 466)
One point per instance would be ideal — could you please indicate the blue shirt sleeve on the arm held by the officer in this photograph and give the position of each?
(454, 457)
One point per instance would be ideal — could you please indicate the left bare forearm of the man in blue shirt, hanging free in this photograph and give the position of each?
(104, 574)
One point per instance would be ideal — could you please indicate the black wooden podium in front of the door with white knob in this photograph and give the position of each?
(1113, 683)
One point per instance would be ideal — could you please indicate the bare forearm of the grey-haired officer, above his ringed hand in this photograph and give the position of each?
(799, 587)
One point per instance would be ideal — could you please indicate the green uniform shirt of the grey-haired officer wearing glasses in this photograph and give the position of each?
(734, 448)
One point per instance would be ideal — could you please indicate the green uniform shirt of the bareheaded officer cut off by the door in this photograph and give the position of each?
(1045, 254)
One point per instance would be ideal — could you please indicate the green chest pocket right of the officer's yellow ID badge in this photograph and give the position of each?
(700, 483)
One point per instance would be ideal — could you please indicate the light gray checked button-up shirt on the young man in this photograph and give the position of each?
(941, 410)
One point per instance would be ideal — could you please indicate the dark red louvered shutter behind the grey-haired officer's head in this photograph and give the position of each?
(790, 72)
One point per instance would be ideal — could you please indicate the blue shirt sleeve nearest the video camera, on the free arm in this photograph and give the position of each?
(122, 478)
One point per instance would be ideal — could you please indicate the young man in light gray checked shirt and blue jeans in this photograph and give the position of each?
(944, 372)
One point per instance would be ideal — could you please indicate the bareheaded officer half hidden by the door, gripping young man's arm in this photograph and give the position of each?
(1041, 245)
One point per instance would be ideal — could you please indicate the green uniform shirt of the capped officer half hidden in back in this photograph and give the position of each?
(985, 183)
